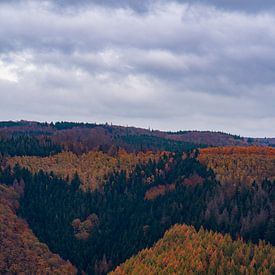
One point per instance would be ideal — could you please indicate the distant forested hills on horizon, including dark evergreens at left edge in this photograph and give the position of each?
(82, 137)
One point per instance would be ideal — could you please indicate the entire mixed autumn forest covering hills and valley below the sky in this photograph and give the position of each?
(98, 194)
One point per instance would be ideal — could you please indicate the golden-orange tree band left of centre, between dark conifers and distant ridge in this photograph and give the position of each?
(92, 167)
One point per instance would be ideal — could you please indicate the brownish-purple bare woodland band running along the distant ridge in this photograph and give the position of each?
(80, 140)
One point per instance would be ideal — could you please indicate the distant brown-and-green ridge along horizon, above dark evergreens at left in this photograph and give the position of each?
(92, 135)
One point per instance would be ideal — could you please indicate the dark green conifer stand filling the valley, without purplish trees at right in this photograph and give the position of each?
(57, 213)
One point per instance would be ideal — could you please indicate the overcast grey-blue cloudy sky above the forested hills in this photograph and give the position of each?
(206, 65)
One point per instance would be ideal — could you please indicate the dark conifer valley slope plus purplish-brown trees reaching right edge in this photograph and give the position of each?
(94, 230)
